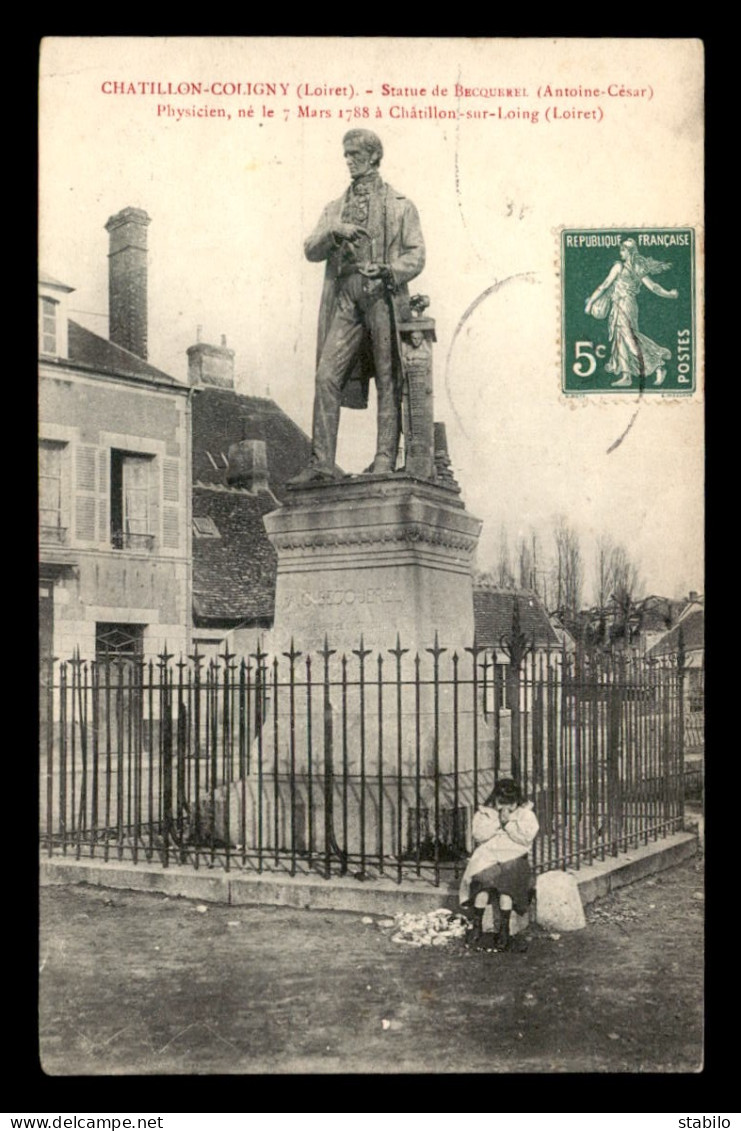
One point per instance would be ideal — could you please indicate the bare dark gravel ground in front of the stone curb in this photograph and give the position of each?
(144, 985)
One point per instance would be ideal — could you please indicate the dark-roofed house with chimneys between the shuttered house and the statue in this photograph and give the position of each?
(245, 450)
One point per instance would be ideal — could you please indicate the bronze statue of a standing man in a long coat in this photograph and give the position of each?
(373, 245)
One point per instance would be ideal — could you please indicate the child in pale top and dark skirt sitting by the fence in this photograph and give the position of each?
(504, 830)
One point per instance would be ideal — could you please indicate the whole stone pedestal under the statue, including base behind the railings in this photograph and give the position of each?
(383, 765)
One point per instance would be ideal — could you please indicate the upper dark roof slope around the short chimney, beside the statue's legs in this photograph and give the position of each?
(222, 418)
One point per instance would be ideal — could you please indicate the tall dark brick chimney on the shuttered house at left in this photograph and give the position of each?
(128, 280)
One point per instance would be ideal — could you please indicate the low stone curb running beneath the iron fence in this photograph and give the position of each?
(377, 897)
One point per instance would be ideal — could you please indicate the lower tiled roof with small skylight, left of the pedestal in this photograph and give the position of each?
(234, 575)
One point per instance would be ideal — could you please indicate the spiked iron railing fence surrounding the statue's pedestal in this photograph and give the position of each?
(366, 764)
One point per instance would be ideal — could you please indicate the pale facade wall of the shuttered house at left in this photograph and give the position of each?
(99, 576)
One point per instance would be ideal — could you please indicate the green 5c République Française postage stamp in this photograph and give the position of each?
(628, 310)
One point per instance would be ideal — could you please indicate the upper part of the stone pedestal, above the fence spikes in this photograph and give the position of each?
(374, 557)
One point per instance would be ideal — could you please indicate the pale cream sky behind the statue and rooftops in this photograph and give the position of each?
(232, 200)
